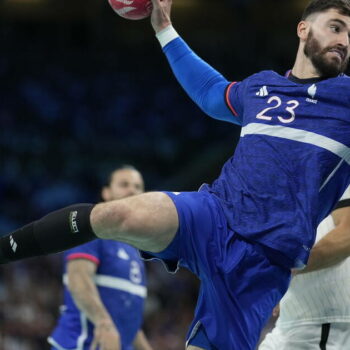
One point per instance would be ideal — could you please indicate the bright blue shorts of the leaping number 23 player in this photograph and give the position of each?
(239, 285)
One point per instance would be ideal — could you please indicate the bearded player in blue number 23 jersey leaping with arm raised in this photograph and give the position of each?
(243, 234)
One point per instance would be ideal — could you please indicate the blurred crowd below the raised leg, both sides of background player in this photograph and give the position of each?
(31, 294)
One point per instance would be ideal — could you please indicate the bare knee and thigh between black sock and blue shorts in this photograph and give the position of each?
(148, 221)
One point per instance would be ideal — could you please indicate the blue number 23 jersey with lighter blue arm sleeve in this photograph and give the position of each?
(291, 165)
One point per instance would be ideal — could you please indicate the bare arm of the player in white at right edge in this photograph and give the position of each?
(335, 246)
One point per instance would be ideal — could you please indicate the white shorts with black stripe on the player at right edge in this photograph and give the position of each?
(330, 336)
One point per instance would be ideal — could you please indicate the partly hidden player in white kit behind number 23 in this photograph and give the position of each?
(315, 311)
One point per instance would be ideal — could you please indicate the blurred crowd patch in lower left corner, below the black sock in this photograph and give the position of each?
(30, 294)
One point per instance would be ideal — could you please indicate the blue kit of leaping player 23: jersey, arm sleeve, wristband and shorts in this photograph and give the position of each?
(242, 234)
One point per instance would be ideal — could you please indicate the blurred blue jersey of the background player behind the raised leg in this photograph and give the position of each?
(120, 279)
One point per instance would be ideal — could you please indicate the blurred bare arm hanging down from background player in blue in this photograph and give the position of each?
(85, 294)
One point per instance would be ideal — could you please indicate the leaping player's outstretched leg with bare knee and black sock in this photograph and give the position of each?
(148, 221)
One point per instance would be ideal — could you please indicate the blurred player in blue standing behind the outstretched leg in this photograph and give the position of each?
(105, 286)
